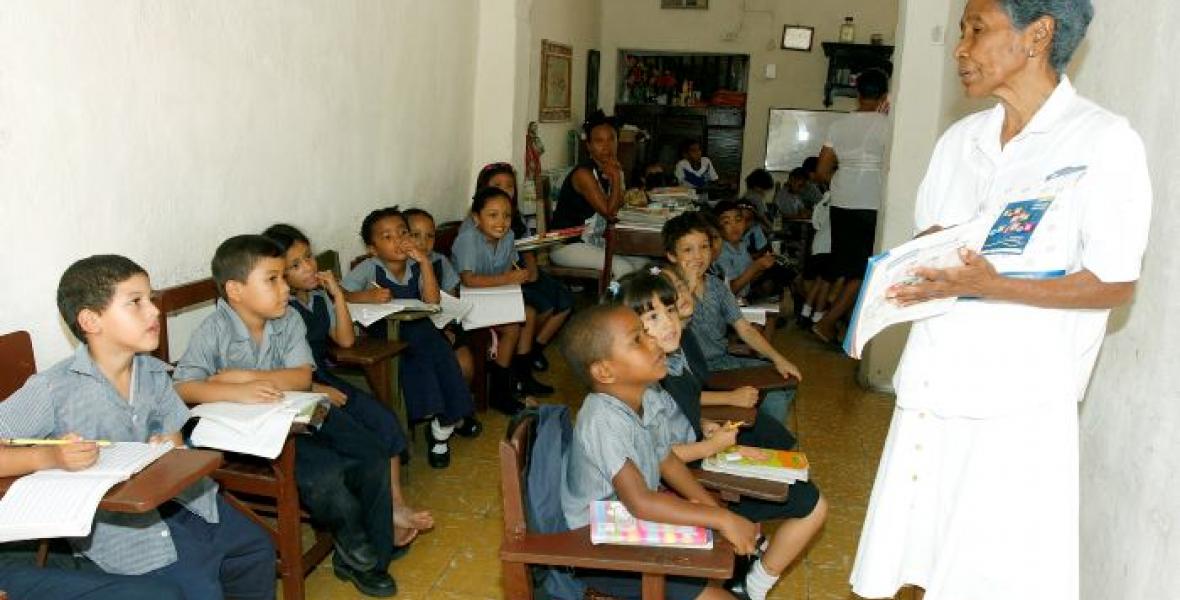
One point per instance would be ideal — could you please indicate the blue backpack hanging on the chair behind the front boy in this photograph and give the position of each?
(545, 474)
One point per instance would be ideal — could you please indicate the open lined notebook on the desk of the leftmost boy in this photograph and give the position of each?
(58, 504)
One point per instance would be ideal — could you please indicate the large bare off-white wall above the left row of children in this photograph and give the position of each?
(159, 129)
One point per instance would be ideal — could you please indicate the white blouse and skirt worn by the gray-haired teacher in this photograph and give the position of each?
(978, 491)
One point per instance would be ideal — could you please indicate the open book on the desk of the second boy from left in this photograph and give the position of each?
(254, 429)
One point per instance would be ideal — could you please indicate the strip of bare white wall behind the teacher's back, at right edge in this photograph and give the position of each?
(1131, 420)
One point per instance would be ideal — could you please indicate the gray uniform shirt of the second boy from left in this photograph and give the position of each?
(222, 342)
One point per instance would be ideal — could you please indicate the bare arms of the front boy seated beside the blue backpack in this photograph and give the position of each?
(666, 508)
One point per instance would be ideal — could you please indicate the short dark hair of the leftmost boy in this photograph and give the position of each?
(90, 284)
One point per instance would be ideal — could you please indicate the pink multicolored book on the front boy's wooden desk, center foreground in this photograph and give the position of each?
(611, 523)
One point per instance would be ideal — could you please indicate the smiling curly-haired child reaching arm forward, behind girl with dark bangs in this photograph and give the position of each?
(687, 245)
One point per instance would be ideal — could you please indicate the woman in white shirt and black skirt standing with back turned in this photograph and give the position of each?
(857, 142)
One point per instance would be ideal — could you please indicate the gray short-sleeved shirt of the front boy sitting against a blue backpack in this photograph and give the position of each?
(607, 435)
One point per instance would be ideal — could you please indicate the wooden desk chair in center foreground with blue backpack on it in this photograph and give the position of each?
(521, 549)
